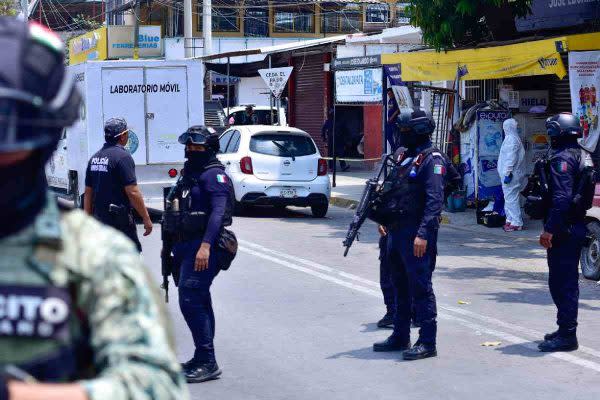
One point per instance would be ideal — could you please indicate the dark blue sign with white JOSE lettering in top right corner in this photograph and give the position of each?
(548, 14)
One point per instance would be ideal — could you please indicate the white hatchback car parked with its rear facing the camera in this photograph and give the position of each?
(275, 165)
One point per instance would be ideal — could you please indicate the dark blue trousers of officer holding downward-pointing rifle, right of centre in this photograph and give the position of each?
(412, 280)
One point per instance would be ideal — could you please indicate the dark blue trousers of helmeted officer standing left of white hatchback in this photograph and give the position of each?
(195, 301)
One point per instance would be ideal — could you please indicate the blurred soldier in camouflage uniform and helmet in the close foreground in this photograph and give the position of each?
(78, 319)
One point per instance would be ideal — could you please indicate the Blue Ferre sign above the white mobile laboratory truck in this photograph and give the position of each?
(120, 41)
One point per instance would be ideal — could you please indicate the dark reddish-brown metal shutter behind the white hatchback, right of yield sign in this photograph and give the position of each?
(309, 93)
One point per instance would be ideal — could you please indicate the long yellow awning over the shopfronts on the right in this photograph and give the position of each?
(524, 59)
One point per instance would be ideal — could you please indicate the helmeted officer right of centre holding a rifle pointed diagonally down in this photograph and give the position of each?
(412, 237)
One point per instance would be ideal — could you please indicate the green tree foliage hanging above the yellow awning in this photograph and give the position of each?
(449, 23)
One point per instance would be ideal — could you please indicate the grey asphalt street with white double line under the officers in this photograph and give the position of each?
(296, 320)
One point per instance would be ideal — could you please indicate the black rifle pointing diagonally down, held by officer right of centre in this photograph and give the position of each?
(371, 194)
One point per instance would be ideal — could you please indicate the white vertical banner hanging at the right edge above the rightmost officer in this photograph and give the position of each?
(584, 77)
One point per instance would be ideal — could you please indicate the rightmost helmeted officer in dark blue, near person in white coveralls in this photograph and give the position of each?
(564, 228)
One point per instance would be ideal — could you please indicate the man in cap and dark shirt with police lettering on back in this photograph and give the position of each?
(111, 186)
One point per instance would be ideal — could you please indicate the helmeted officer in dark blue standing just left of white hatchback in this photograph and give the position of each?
(212, 193)
